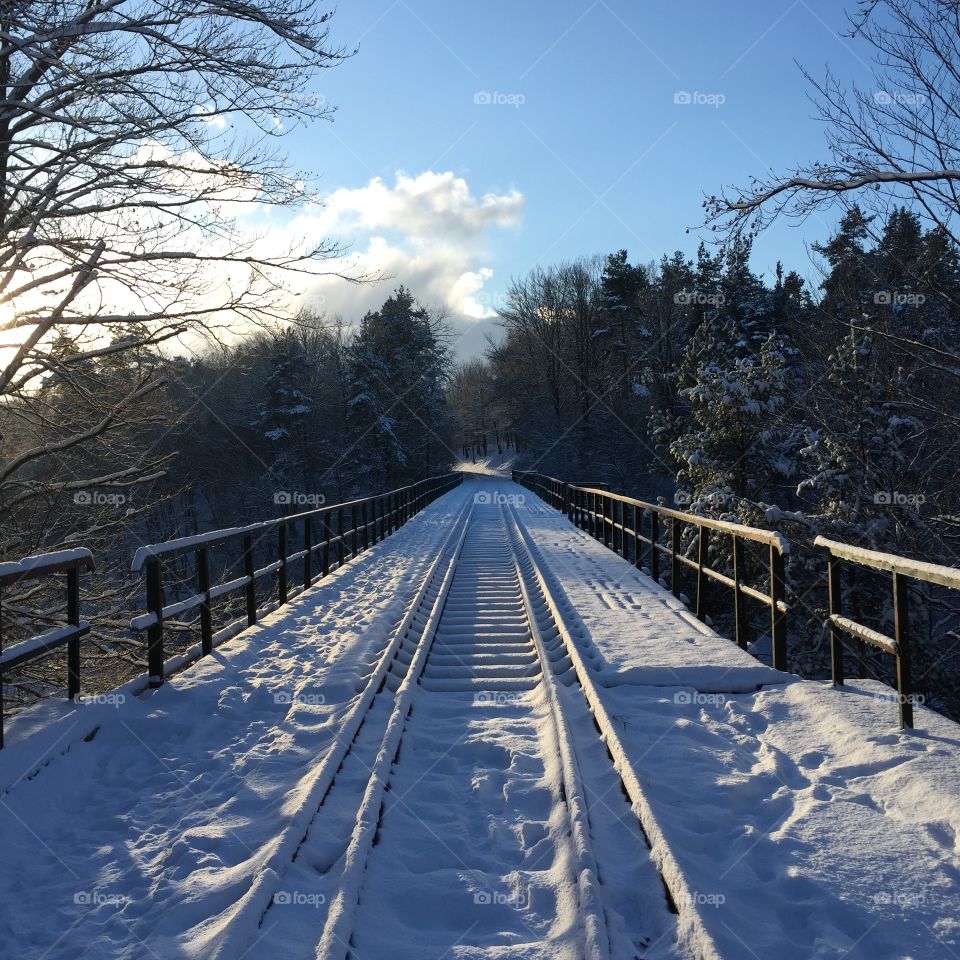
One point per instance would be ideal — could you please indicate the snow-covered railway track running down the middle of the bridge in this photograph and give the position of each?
(457, 824)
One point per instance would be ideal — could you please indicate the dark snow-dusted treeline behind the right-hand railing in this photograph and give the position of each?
(832, 411)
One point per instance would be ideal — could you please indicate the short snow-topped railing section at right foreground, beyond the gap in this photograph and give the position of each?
(898, 646)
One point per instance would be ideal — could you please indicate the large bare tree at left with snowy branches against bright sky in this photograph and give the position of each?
(132, 135)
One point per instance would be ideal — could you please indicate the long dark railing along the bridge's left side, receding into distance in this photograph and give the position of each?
(337, 533)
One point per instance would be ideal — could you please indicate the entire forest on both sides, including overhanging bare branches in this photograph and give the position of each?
(157, 383)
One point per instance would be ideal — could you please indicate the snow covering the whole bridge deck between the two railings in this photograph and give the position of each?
(785, 817)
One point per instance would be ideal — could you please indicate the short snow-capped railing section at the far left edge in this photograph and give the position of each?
(39, 567)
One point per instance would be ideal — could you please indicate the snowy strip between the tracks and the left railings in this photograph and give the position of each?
(139, 840)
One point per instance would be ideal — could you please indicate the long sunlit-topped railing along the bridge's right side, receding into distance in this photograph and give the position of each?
(632, 528)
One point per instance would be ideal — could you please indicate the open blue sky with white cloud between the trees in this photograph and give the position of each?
(529, 133)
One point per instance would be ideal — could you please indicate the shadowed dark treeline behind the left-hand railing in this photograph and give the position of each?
(278, 421)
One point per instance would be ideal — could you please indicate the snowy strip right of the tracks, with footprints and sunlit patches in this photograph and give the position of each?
(805, 823)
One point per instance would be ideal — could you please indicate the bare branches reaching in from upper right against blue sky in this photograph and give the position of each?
(893, 143)
